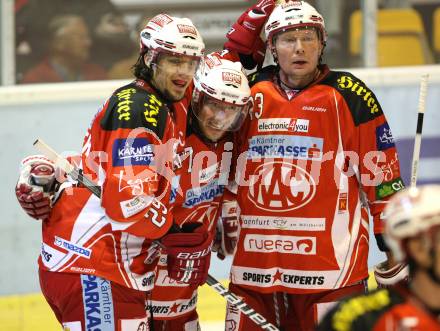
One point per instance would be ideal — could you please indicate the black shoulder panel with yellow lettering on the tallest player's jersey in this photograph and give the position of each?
(360, 99)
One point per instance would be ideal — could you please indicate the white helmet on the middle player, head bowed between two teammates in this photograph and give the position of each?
(225, 82)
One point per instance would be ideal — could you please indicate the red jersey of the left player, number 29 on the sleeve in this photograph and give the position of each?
(128, 151)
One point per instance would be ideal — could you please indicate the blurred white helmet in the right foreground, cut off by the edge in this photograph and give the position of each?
(410, 213)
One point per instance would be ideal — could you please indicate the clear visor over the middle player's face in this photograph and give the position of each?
(219, 115)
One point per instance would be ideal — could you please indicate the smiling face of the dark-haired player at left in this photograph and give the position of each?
(173, 74)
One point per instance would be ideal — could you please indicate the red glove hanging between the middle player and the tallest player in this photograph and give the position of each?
(227, 230)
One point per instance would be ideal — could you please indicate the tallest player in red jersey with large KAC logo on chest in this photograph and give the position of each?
(317, 157)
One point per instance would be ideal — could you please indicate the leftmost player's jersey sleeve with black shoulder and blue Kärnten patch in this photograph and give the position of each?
(128, 151)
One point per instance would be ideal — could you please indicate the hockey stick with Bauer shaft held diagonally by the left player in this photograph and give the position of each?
(72, 171)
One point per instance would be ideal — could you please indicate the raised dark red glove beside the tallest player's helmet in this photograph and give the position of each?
(244, 36)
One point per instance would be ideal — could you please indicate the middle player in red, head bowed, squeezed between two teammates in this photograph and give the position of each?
(221, 100)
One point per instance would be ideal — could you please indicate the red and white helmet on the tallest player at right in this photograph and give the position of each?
(293, 14)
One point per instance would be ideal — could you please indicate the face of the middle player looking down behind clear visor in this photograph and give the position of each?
(216, 117)
